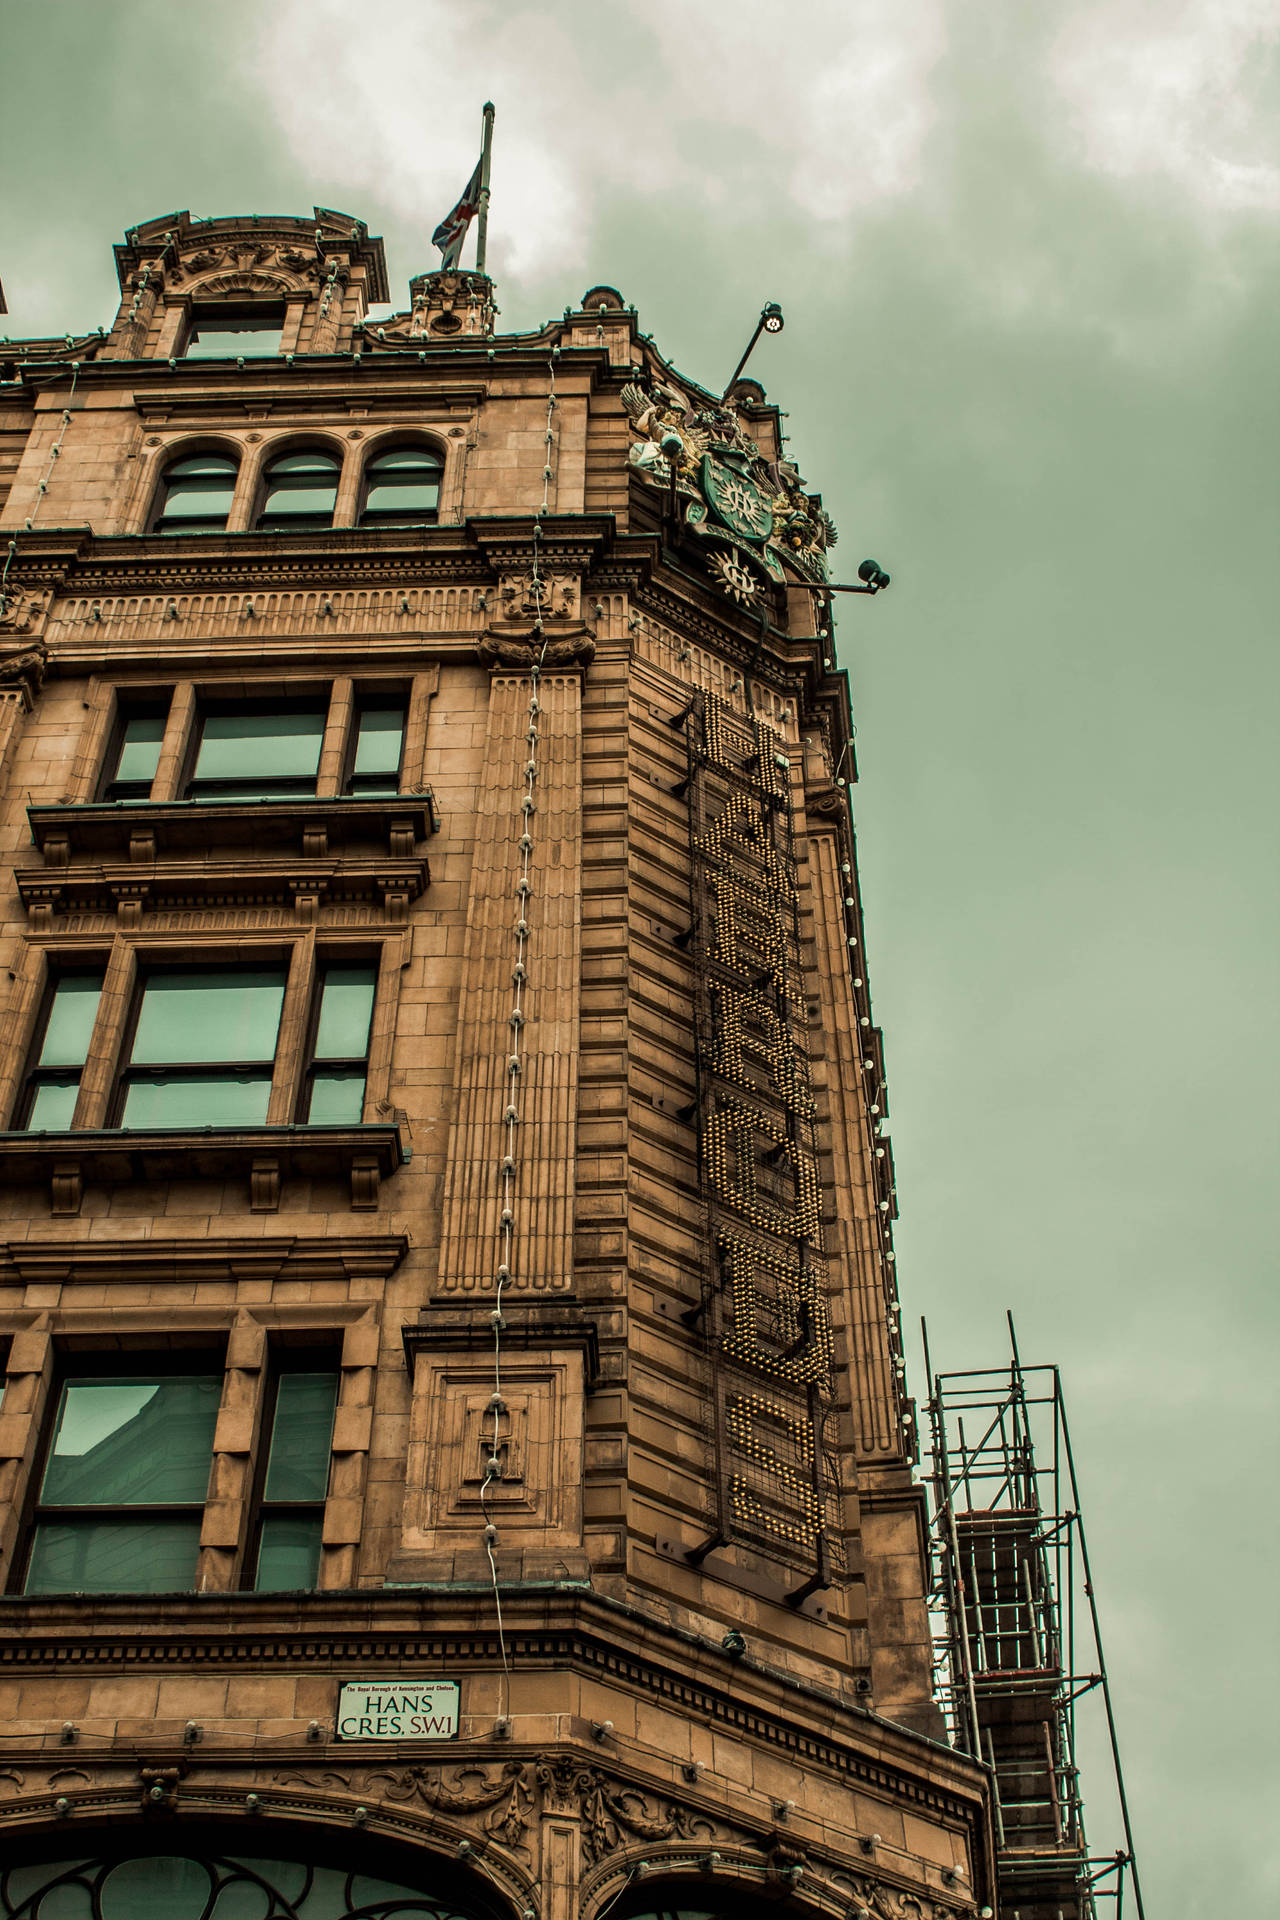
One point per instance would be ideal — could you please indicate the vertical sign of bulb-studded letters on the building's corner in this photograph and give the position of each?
(765, 1301)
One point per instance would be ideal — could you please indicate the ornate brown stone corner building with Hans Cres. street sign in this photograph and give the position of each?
(454, 1452)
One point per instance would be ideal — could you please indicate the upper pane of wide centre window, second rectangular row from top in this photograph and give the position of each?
(191, 1017)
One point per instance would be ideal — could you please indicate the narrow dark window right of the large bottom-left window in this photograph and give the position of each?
(298, 1431)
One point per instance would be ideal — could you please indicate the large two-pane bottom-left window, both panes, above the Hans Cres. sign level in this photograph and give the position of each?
(124, 1483)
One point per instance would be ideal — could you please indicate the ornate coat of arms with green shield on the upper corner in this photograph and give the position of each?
(736, 498)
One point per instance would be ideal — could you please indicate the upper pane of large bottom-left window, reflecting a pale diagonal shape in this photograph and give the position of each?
(133, 1443)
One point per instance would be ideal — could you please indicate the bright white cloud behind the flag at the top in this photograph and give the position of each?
(715, 110)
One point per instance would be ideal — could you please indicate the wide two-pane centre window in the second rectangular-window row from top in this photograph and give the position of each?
(202, 1049)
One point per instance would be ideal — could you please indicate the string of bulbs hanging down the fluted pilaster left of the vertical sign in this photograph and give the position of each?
(517, 1020)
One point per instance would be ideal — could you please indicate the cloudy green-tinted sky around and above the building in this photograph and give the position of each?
(1030, 266)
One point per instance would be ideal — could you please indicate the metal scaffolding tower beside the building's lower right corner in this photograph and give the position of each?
(1016, 1633)
